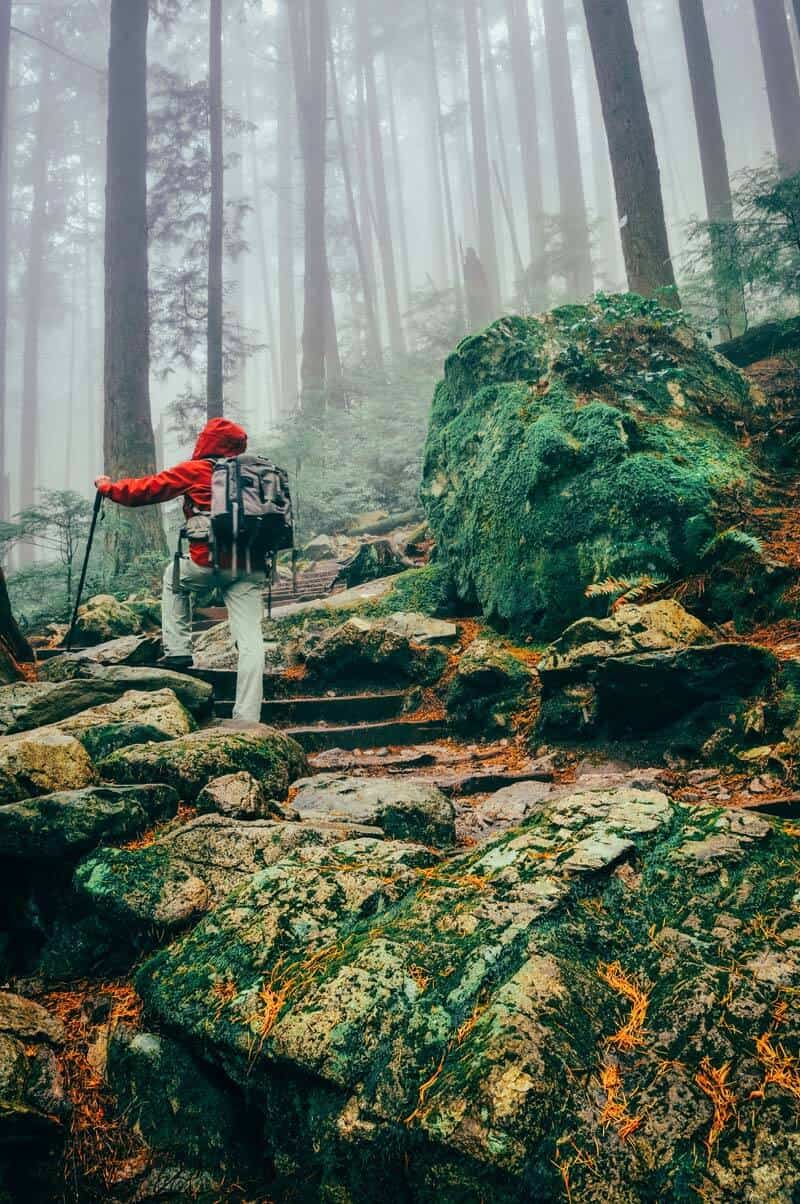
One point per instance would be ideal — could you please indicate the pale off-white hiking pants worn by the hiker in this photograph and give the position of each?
(245, 601)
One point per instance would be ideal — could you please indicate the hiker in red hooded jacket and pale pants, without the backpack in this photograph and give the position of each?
(242, 587)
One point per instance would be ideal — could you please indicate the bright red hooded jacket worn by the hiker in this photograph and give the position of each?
(219, 439)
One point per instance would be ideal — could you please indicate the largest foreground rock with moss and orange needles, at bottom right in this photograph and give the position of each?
(603, 995)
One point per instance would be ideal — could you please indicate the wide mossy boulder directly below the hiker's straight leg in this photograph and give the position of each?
(193, 762)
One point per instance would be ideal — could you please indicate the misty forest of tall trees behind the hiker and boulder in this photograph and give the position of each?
(291, 213)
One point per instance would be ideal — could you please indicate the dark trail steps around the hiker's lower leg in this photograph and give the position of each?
(372, 719)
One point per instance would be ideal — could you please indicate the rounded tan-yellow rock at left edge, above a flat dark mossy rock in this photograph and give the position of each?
(42, 763)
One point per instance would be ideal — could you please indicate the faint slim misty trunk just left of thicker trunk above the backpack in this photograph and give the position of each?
(287, 306)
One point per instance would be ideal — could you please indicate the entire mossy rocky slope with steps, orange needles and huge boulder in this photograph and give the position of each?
(499, 902)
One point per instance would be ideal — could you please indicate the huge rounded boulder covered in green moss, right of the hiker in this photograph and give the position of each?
(590, 442)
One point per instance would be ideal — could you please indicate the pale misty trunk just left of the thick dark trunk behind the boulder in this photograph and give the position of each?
(568, 154)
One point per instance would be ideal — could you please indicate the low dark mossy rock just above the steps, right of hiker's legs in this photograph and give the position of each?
(369, 651)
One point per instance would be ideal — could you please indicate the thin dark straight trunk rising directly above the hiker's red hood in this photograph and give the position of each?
(215, 386)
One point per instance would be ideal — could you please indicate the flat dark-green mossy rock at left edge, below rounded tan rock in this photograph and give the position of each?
(68, 824)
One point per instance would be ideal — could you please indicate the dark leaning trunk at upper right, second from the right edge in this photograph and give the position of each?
(714, 161)
